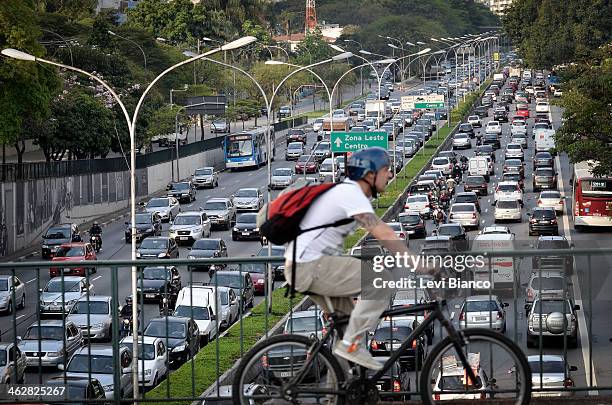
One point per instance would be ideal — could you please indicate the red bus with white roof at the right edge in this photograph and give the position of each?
(592, 197)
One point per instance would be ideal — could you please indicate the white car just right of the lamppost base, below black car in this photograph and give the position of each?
(155, 355)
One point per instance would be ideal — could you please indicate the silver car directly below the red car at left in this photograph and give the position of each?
(60, 294)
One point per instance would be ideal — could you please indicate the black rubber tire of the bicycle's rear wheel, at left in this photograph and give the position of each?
(242, 370)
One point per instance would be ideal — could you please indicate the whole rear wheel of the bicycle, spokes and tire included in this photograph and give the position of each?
(266, 371)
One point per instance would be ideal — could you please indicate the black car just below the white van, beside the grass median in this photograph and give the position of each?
(181, 335)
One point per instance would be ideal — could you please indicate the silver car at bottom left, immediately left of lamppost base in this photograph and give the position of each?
(101, 362)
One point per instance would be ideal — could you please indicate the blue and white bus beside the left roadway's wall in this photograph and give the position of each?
(248, 148)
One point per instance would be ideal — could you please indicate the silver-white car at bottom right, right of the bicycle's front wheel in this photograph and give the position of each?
(551, 371)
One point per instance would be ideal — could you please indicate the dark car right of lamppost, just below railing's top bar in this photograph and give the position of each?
(156, 282)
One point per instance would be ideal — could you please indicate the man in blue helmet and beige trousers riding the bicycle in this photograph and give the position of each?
(322, 272)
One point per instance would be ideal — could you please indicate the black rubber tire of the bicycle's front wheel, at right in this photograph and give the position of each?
(429, 367)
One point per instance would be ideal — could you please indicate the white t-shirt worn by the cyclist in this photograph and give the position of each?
(343, 201)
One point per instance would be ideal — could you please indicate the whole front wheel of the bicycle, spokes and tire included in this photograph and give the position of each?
(500, 367)
